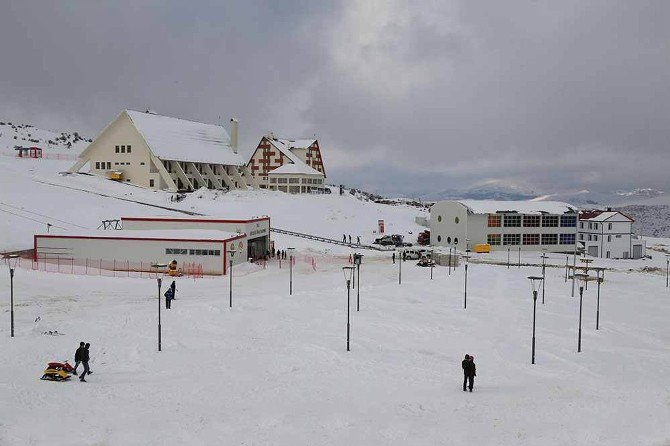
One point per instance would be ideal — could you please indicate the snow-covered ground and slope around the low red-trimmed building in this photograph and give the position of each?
(274, 369)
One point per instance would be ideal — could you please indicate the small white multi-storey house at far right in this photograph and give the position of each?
(609, 234)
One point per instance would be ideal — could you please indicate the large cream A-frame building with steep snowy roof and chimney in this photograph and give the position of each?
(160, 152)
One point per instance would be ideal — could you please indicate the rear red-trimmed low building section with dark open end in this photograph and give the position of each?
(257, 229)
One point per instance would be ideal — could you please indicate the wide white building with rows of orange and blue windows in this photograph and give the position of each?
(529, 225)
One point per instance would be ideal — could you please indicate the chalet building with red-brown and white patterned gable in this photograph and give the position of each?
(288, 165)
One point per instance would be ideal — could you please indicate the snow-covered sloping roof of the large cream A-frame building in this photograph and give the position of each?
(182, 140)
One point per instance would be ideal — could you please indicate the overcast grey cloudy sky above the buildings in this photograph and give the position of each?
(546, 95)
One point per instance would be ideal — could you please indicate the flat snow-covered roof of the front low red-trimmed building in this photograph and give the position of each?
(158, 234)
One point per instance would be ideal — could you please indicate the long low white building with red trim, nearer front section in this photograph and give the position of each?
(205, 248)
